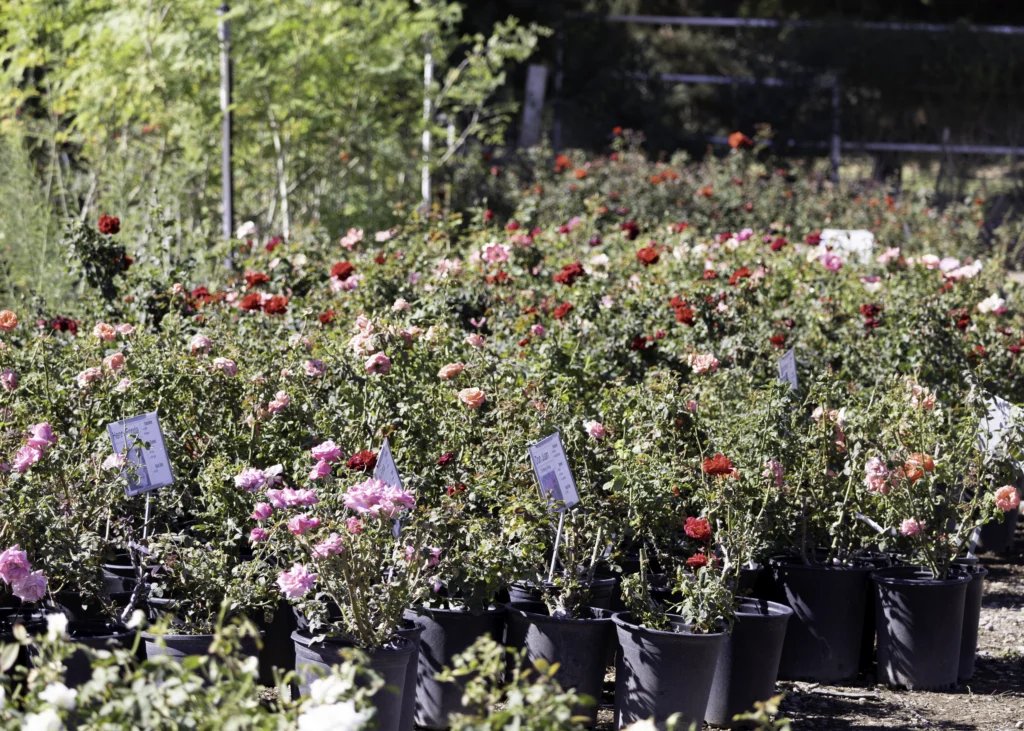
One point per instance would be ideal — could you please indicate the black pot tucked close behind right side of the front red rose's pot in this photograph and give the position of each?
(748, 665)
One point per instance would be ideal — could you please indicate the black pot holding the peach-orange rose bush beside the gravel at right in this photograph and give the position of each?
(920, 625)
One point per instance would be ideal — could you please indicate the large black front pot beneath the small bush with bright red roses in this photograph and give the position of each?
(664, 673)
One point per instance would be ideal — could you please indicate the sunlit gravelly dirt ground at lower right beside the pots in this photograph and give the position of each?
(993, 701)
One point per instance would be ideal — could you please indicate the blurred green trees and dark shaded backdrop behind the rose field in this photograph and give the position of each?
(113, 106)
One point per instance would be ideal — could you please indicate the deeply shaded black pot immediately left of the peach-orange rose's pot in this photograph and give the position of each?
(824, 637)
